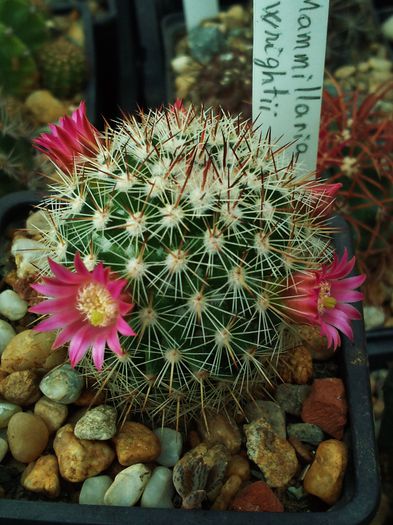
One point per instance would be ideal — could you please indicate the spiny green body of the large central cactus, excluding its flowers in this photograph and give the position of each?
(207, 224)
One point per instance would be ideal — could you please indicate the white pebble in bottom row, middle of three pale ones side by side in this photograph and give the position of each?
(128, 486)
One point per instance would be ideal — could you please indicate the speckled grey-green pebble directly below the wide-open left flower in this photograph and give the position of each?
(63, 384)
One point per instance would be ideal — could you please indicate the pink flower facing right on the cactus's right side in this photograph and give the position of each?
(321, 298)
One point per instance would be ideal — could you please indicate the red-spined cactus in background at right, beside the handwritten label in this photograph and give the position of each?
(356, 149)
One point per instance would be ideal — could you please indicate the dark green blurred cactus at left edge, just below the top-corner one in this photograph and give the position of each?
(18, 69)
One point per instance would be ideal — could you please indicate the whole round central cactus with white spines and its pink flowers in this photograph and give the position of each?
(209, 229)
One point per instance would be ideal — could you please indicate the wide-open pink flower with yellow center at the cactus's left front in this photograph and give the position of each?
(88, 307)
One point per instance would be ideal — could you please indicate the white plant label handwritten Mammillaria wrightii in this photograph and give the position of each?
(288, 65)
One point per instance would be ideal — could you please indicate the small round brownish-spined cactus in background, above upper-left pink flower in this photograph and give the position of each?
(63, 67)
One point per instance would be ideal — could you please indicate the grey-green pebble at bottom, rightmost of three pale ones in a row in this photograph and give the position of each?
(159, 490)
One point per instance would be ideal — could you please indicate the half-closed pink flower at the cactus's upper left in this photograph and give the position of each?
(72, 137)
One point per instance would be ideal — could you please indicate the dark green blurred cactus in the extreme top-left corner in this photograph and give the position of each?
(26, 22)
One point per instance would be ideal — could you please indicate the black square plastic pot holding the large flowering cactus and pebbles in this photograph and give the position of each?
(361, 491)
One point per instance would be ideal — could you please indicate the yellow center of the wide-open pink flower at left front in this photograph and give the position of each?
(97, 304)
